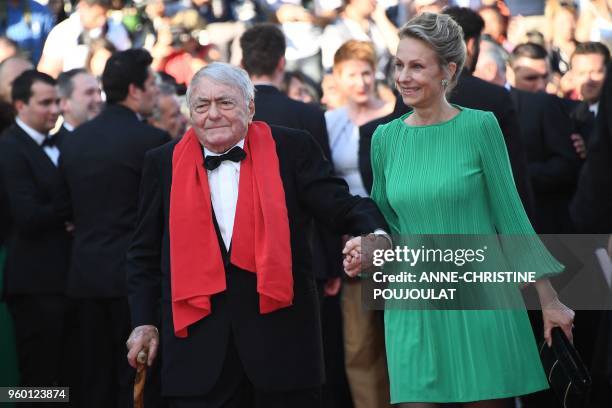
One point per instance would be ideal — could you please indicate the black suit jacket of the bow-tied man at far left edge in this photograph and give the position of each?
(38, 245)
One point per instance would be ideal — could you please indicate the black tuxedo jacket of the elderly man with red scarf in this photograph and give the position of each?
(280, 350)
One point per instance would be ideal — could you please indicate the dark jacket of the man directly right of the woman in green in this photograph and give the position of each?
(552, 161)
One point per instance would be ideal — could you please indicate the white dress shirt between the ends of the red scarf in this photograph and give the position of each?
(223, 183)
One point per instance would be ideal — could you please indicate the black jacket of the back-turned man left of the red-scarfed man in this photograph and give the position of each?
(101, 164)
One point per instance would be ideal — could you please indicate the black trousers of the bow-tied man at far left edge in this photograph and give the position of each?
(46, 346)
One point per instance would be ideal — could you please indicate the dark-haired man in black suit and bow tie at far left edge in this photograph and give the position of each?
(38, 242)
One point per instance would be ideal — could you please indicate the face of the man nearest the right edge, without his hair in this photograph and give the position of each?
(589, 72)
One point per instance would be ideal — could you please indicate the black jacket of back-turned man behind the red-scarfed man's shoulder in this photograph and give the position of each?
(275, 108)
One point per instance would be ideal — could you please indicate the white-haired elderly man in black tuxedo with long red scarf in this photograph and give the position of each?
(222, 242)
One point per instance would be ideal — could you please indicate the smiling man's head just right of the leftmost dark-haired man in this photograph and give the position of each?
(80, 98)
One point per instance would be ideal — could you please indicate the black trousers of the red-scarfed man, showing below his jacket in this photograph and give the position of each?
(234, 390)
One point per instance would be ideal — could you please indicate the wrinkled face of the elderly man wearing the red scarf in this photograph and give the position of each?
(220, 115)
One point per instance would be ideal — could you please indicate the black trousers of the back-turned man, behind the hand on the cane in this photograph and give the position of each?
(107, 378)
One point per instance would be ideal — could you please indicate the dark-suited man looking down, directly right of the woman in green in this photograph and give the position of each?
(546, 129)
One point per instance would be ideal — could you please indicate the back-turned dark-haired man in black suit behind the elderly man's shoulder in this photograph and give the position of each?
(263, 57)
